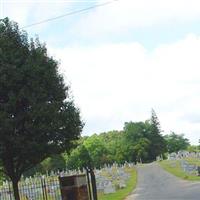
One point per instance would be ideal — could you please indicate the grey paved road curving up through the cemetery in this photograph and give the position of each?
(154, 183)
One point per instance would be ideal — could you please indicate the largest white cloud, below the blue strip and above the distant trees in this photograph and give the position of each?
(115, 83)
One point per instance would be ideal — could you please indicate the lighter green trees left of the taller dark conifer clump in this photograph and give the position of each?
(106, 148)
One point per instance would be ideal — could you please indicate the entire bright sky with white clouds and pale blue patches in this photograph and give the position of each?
(123, 59)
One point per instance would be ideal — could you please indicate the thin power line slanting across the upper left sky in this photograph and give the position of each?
(69, 13)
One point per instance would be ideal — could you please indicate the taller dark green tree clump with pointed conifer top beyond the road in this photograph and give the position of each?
(144, 139)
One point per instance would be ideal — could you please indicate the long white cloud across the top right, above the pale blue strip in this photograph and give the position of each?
(123, 15)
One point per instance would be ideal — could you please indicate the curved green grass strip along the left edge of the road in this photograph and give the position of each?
(122, 193)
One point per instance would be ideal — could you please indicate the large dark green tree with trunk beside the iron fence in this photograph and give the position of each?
(37, 116)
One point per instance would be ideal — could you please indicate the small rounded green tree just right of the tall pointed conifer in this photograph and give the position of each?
(176, 142)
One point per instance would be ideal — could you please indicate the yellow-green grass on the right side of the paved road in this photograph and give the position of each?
(174, 167)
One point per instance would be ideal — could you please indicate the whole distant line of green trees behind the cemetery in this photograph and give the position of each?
(137, 142)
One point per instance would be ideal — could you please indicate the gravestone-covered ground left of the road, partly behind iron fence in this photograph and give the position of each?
(109, 180)
